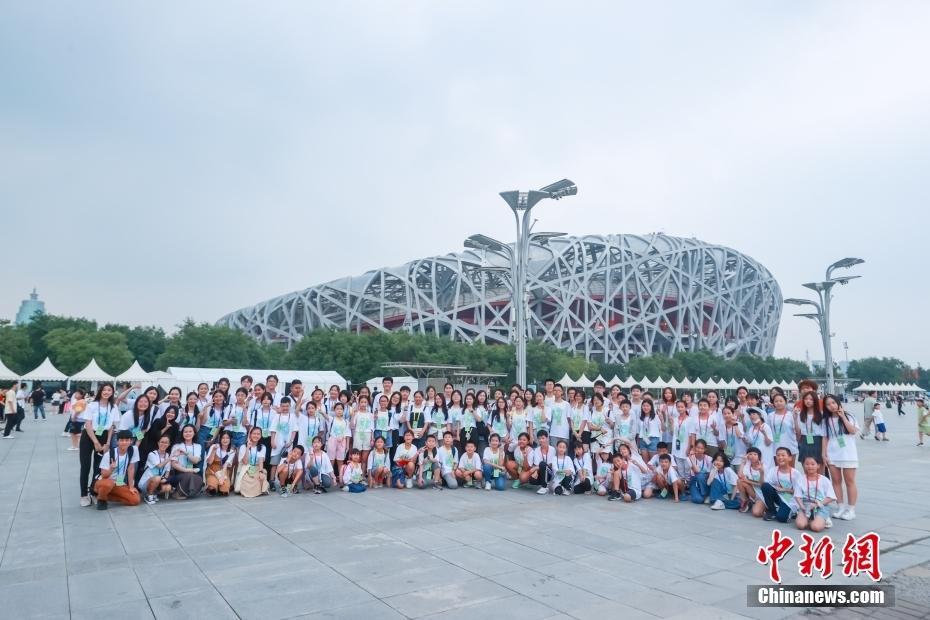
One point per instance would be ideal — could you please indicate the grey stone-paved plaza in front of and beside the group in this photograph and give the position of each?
(411, 554)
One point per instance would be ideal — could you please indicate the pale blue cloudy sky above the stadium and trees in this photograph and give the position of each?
(171, 160)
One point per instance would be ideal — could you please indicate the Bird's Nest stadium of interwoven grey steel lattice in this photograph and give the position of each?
(606, 297)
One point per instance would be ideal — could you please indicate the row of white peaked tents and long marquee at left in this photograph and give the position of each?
(185, 378)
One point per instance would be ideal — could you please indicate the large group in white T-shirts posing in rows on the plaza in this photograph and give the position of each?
(769, 460)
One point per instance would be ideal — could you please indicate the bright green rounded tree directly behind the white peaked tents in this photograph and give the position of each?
(72, 348)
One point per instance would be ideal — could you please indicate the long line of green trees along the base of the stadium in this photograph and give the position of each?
(71, 342)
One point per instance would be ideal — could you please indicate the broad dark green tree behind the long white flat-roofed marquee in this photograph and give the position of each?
(211, 346)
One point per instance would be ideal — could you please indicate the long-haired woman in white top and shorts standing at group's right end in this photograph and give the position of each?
(842, 455)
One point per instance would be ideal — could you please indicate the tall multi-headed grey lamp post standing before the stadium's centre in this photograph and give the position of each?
(522, 203)
